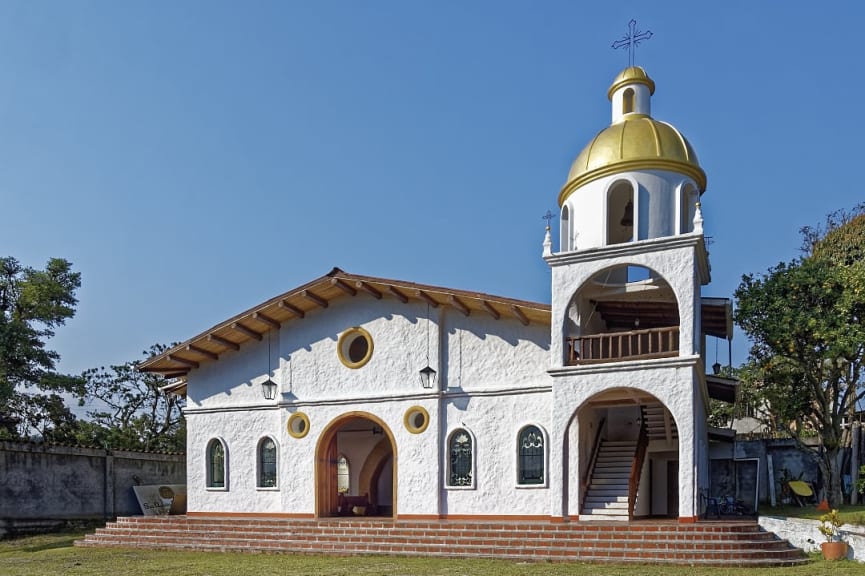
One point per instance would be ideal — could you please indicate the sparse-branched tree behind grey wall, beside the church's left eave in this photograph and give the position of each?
(130, 410)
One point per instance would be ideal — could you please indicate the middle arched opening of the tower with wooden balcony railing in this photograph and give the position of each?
(622, 313)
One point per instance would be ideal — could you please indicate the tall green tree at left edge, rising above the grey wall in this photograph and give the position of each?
(32, 304)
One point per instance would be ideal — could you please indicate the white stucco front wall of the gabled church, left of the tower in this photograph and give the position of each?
(492, 381)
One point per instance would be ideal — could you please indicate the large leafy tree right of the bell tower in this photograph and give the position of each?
(805, 322)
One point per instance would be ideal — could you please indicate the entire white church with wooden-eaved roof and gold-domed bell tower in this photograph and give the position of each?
(357, 395)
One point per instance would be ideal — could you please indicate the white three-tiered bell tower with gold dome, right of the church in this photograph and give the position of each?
(626, 325)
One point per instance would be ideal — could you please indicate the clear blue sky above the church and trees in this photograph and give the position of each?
(193, 159)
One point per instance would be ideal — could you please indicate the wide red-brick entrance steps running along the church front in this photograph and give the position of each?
(740, 543)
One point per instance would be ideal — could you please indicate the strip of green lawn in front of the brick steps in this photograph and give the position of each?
(52, 555)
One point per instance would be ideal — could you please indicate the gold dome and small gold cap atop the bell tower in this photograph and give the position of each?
(636, 142)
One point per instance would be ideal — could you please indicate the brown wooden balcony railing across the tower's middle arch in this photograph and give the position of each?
(617, 346)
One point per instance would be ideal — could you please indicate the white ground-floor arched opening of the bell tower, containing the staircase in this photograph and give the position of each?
(623, 458)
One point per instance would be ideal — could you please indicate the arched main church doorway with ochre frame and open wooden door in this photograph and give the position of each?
(355, 472)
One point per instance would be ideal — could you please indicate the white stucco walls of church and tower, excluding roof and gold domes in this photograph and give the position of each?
(497, 375)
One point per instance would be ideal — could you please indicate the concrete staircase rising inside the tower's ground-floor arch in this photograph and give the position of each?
(607, 495)
